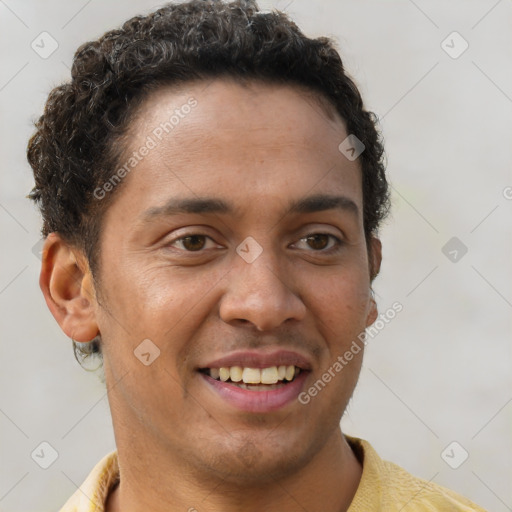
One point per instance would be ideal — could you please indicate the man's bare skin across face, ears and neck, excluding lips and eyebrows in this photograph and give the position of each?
(258, 147)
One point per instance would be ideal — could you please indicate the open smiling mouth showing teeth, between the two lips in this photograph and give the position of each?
(254, 379)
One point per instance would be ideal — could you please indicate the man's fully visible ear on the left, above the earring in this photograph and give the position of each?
(67, 285)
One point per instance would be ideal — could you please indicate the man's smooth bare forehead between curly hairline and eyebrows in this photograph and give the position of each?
(252, 141)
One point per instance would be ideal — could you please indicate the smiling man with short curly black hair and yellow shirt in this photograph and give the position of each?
(211, 189)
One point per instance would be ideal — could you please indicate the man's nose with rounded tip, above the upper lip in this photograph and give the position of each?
(260, 294)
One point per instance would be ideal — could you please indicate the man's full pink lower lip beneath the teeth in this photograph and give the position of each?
(258, 401)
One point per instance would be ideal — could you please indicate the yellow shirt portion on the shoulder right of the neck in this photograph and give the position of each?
(386, 486)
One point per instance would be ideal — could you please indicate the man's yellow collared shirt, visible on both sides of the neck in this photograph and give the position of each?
(384, 487)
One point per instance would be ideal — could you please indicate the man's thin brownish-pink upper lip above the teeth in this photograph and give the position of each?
(255, 359)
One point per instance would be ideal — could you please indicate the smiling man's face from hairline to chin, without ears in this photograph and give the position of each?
(236, 242)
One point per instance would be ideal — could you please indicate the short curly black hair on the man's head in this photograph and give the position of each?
(76, 145)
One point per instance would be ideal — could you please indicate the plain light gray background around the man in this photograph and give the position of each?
(439, 372)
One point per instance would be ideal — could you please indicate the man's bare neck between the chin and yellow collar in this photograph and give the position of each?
(158, 483)
